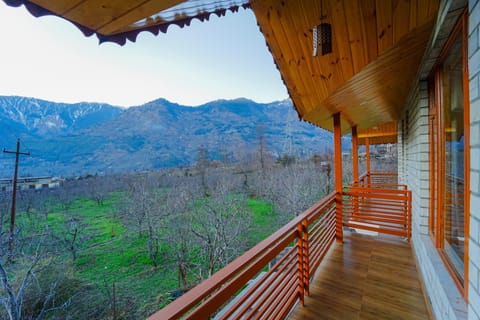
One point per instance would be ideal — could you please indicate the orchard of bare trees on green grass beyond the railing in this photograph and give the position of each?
(123, 246)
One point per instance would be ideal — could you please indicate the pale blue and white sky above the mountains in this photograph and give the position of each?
(224, 58)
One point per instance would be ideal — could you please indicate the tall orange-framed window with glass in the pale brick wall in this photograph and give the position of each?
(449, 155)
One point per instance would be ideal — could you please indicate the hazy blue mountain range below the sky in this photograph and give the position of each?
(88, 138)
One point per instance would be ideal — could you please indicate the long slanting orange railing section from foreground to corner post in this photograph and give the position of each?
(248, 288)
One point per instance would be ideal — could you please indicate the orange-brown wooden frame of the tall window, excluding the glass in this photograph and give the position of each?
(437, 151)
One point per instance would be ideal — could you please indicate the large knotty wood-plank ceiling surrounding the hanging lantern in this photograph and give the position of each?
(377, 48)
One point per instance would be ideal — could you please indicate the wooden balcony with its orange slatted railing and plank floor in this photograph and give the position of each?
(302, 268)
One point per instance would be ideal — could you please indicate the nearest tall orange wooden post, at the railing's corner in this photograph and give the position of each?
(337, 150)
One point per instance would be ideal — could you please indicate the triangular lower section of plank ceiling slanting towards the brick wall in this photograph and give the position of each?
(377, 93)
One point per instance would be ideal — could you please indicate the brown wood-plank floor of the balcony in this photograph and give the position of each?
(366, 278)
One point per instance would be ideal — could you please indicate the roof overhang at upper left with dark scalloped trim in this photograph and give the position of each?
(119, 20)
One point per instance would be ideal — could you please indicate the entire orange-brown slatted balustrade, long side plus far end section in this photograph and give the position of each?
(269, 279)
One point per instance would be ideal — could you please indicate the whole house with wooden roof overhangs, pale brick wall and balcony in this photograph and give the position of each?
(384, 71)
